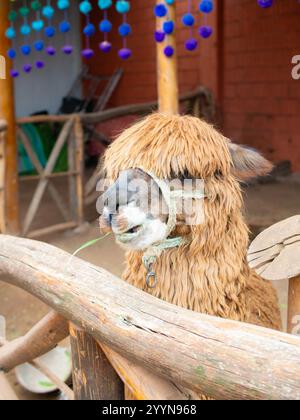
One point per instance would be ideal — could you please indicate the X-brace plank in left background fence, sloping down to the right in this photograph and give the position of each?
(36, 163)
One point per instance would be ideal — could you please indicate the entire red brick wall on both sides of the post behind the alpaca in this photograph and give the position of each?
(248, 69)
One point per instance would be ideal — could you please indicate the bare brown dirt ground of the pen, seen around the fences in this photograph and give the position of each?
(265, 205)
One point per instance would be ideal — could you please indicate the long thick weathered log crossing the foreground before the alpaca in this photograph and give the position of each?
(219, 358)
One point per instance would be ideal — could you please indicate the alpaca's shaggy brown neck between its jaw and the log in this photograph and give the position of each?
(208, 278)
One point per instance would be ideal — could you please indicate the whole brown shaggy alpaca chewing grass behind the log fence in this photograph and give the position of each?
(207, 271)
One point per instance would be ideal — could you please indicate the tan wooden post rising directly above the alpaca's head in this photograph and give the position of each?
(167, 77)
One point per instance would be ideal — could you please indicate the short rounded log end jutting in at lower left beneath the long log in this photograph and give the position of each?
(43, 337)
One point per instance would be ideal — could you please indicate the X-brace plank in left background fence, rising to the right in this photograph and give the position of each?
(34, 205)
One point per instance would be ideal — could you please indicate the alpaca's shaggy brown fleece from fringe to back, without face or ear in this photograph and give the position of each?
(210, 274)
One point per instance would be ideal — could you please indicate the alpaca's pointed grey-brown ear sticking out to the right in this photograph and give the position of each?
(248, 163)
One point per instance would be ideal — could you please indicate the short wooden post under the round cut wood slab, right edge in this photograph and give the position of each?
(294, 306)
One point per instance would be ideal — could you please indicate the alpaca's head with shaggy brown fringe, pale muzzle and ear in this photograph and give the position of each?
(174, 147)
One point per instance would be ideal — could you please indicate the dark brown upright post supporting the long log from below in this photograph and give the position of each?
(93, 376)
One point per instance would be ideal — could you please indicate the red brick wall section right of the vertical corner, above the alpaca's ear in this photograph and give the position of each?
(261, 101)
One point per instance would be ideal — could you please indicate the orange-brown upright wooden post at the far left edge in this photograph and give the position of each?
(7, 112)
